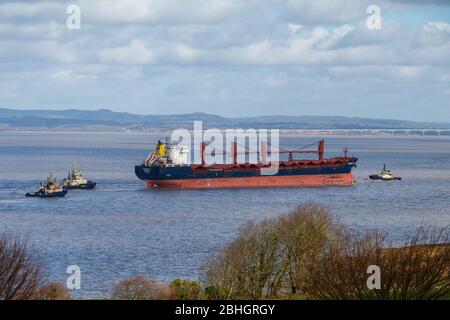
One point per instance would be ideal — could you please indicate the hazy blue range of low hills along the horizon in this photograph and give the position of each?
(109, 120)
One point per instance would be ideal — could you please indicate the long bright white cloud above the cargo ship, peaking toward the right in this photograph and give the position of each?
(316, 47)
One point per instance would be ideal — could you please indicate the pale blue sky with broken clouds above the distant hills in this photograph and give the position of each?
(229, 57)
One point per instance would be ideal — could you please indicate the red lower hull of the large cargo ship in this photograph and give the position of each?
(320, 180)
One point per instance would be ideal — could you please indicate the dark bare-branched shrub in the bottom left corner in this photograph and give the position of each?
(21, 271)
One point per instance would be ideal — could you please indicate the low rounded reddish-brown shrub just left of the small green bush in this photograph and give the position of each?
(140, 288)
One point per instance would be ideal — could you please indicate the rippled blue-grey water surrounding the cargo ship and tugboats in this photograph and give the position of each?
(121, 229)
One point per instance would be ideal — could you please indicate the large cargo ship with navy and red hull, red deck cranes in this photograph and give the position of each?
(168, 167)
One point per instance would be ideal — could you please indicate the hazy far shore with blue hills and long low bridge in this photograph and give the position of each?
(104, 120)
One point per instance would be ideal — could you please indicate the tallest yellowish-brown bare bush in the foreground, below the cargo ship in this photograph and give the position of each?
(267, 255)
